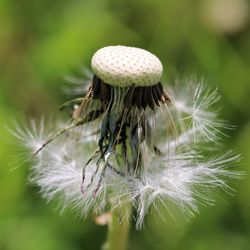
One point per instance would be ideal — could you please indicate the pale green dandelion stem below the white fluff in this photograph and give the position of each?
(118, 229)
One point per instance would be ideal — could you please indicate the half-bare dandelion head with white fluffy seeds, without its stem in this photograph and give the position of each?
(131, 144)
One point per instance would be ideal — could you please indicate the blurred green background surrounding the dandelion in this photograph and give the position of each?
(42, 41)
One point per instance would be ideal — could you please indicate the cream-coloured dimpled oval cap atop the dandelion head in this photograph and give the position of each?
(124, 66)
